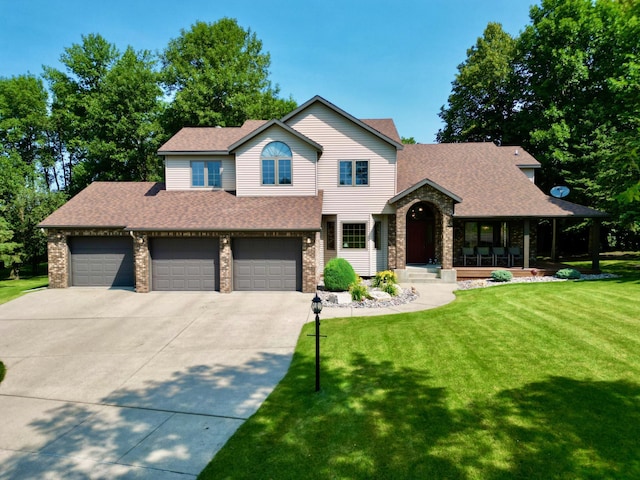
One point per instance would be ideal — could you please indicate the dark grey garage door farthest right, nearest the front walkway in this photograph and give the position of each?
(267, 264)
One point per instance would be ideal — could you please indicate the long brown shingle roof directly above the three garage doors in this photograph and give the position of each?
(148, 206)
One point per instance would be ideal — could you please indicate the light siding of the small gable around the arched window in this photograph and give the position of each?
(303, 166)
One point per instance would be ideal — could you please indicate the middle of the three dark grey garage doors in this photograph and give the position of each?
(184, 263)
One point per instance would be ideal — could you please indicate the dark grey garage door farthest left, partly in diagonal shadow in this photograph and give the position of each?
(101, 261)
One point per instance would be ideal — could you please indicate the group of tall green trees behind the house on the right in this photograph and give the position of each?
(567, 89)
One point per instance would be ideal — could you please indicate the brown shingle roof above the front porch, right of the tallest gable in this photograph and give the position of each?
(485, 177)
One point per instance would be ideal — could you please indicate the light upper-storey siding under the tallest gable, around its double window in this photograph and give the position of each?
(344, 140)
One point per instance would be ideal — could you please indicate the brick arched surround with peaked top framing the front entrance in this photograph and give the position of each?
(443, 209)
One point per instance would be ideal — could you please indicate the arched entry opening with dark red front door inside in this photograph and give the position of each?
(420, 234)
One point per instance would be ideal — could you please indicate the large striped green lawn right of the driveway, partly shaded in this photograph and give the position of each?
(516, 381)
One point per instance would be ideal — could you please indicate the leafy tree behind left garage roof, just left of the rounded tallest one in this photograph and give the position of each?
(107, 110)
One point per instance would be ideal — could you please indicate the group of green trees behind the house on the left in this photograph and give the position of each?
(104, 114)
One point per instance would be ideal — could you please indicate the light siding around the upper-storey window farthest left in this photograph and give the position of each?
(178, 171)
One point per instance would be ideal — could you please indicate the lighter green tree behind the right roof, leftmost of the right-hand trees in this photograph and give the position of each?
(482, 104)
